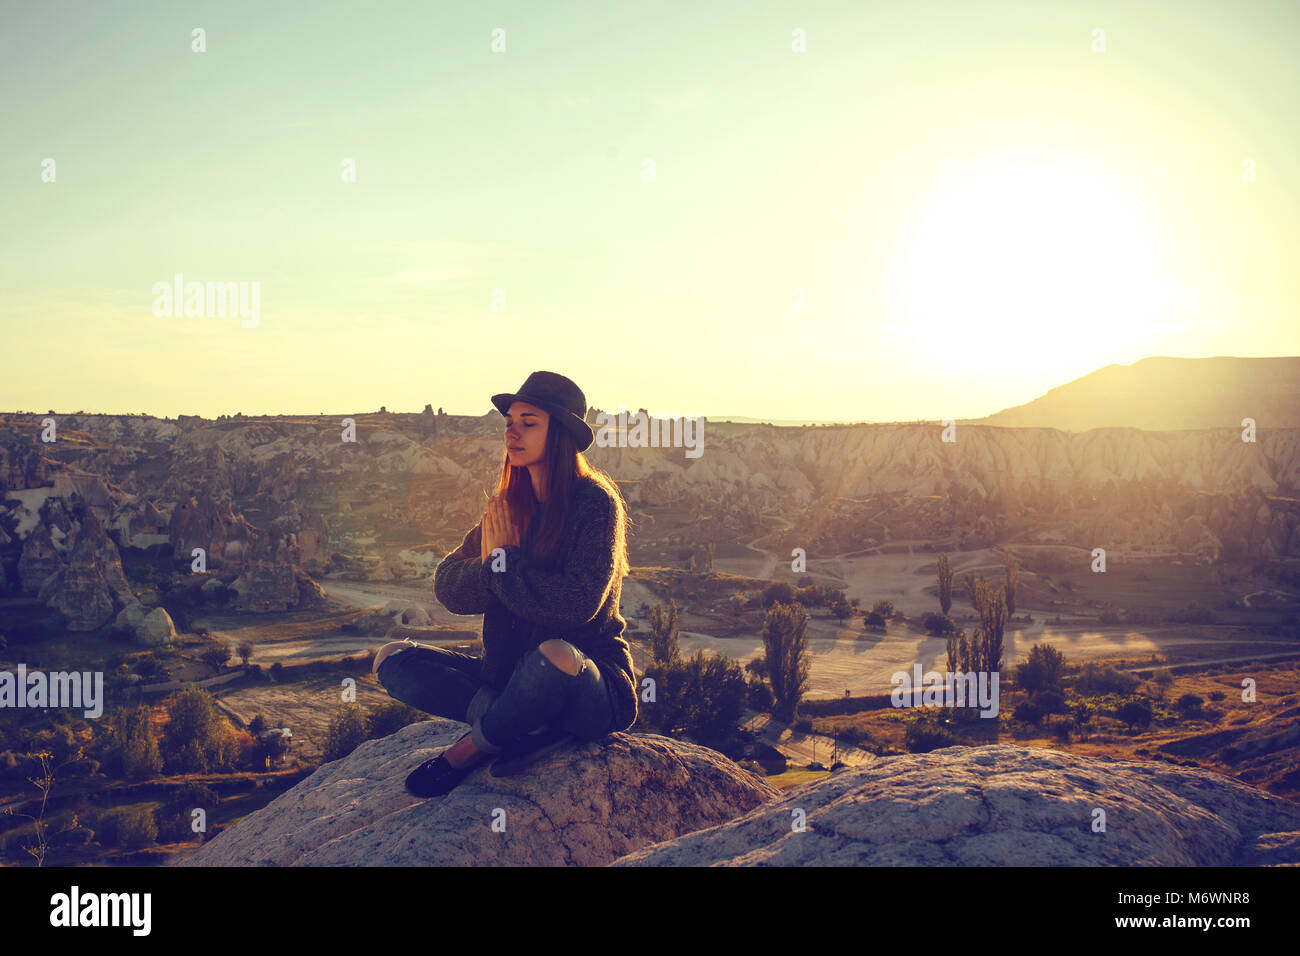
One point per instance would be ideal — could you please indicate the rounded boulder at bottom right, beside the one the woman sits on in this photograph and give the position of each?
(1002, 806)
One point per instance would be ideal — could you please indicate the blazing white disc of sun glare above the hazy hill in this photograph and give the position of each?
(1030, 261)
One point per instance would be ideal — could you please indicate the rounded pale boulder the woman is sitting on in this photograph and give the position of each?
(586, 806)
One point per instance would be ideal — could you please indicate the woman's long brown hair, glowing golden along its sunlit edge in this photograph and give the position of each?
(565, 466)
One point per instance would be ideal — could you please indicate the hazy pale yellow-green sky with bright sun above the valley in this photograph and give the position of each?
(939, 210)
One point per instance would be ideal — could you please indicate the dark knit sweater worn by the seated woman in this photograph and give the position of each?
(527, 604)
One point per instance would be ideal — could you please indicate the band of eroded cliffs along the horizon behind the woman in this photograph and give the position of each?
(274, 501)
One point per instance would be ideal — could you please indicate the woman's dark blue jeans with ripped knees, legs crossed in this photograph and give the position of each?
(539, 695)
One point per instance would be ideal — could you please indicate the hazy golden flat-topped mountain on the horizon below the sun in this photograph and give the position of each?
(1165, 395)
